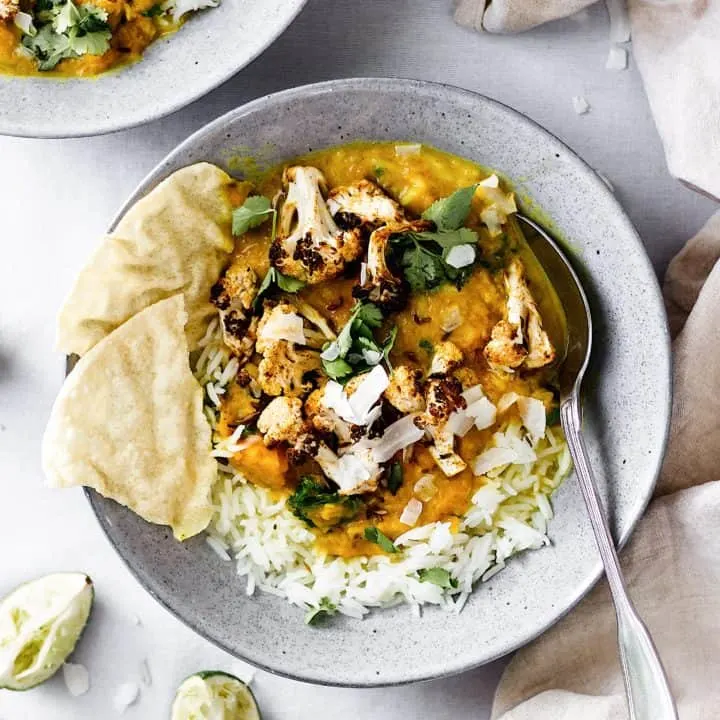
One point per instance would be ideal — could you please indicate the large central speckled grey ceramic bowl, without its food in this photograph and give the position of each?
(627, 400)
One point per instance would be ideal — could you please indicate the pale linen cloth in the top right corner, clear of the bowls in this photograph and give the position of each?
(677, 47)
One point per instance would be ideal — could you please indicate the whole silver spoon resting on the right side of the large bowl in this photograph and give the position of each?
(646, 685)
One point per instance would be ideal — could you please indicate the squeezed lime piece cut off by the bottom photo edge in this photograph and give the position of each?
(214, 695)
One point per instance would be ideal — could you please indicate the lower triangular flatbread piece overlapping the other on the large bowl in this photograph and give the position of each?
(129, 422)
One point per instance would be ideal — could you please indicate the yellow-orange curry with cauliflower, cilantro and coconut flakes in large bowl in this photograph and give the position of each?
(402, 316)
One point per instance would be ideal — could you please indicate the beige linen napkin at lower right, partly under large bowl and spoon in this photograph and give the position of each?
(671, 563)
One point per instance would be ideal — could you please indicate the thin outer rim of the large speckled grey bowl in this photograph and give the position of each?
(334, 86)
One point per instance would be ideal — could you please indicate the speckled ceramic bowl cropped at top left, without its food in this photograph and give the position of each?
(207, 50)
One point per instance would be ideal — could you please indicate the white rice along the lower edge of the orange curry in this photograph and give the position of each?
(275, 552)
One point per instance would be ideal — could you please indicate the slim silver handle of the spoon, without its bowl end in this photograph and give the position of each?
(646, 685)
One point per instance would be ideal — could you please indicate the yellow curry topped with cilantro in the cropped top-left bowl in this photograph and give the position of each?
(79, 38)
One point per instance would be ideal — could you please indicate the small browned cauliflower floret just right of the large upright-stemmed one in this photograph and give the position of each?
(363, 205)
